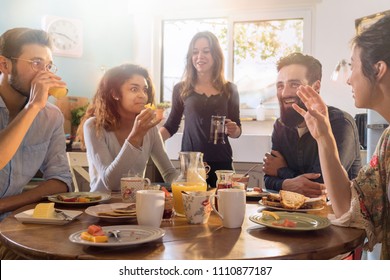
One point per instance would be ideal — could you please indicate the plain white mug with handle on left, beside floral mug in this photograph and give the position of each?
(231, 206)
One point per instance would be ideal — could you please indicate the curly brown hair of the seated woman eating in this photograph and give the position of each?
(103, 107)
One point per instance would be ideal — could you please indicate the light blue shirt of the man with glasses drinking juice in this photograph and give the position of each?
(43, 148)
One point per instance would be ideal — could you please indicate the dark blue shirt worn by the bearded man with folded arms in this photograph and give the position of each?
(301, 153)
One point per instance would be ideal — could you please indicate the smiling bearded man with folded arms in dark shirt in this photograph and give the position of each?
(293, 163)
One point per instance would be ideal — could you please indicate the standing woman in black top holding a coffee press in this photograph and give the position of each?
(204, 92)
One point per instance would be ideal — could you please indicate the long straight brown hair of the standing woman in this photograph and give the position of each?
(190, 74)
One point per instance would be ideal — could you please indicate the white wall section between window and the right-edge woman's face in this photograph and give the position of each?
(334, 26)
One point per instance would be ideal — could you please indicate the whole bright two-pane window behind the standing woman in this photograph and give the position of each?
(250, 59)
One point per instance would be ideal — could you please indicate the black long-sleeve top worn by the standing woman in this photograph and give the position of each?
(197, 110)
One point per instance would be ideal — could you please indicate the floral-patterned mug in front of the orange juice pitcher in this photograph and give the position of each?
(197, 207)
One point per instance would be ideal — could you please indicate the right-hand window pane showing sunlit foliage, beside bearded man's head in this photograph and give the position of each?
(258, 45)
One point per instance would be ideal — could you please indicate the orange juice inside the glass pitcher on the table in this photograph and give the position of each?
(177, 187)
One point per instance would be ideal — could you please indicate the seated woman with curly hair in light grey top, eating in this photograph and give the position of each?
(119, 133)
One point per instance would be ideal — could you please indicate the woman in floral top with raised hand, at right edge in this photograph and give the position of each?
(363, 202)
